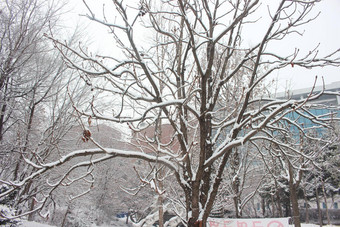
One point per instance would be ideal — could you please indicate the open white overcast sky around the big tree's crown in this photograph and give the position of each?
(324, 30)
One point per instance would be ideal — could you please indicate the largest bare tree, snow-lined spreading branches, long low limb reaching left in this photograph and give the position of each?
(183, 85)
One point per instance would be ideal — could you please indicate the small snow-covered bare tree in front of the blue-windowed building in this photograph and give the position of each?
(291, 171)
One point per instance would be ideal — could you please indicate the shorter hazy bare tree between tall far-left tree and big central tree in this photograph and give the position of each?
(42, 118)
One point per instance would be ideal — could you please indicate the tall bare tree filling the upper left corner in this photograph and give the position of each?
(23, 23)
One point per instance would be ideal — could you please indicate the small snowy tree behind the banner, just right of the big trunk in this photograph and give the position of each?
(241, 183)
